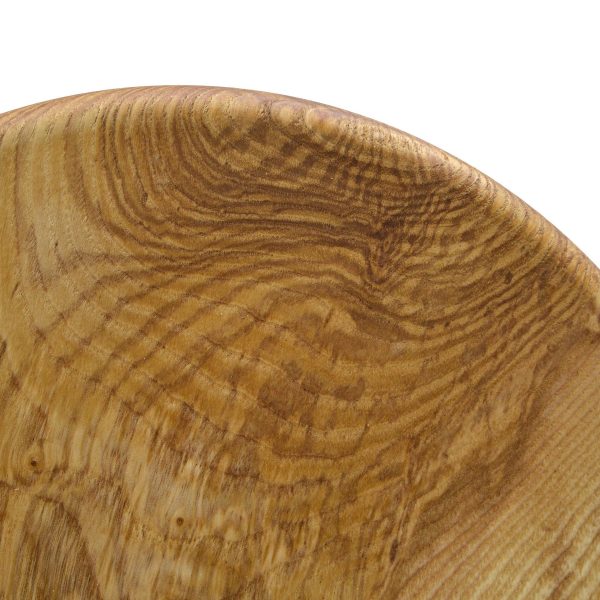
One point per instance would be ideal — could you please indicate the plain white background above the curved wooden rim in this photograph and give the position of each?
(511, 87)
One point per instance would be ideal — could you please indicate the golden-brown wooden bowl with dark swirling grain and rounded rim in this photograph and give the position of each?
(256, 347)
